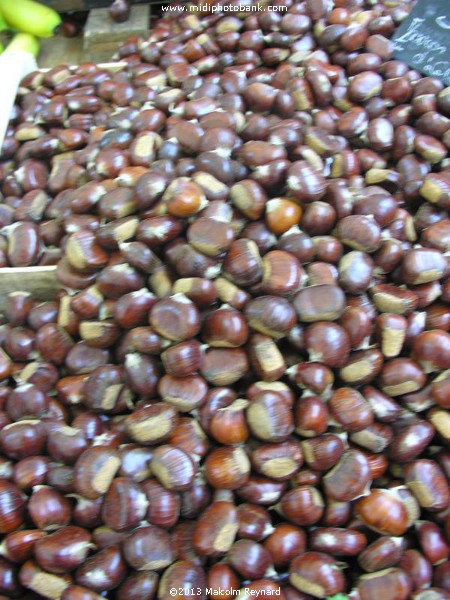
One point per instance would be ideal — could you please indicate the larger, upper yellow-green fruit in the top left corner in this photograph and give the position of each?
(30, 16)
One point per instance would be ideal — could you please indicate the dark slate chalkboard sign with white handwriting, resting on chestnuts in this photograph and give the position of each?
(423, 39)
